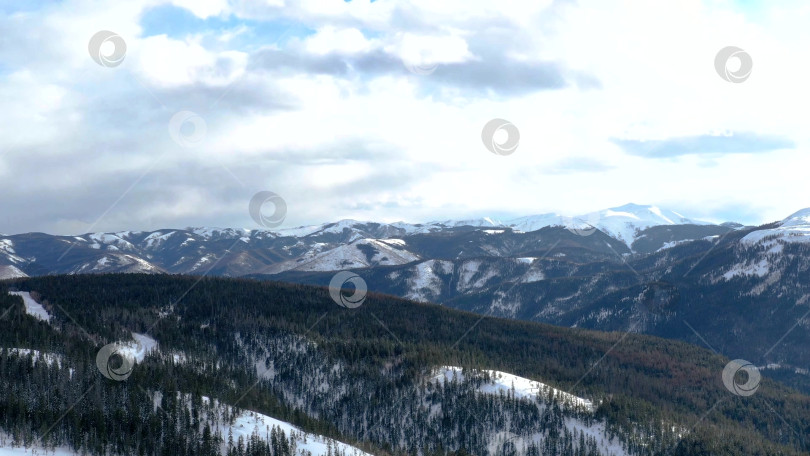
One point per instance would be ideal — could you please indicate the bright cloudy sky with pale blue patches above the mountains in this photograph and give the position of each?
(150, 114)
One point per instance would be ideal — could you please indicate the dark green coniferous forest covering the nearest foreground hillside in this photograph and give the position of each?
(364, 377)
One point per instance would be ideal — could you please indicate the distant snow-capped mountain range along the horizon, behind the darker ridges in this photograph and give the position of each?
(346, 244)
